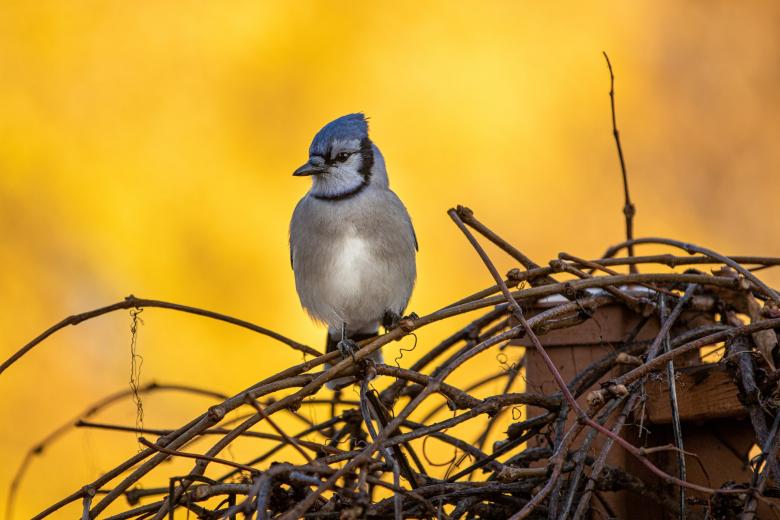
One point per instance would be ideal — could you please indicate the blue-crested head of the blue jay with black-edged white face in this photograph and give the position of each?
(342, 159)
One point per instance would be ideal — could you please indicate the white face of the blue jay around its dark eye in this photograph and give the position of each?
(342, 169)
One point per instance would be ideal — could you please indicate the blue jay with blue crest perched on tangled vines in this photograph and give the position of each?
(352, 243)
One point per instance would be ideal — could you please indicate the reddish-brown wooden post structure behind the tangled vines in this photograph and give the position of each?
(715, 427)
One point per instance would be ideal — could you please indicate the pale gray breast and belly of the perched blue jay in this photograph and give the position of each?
(353, 260)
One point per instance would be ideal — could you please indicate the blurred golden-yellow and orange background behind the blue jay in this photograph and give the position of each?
(147, 147)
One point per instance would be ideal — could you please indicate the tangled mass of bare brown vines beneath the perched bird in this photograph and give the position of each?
(438, 435)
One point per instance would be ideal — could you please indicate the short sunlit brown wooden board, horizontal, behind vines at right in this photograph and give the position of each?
(704, 392)
